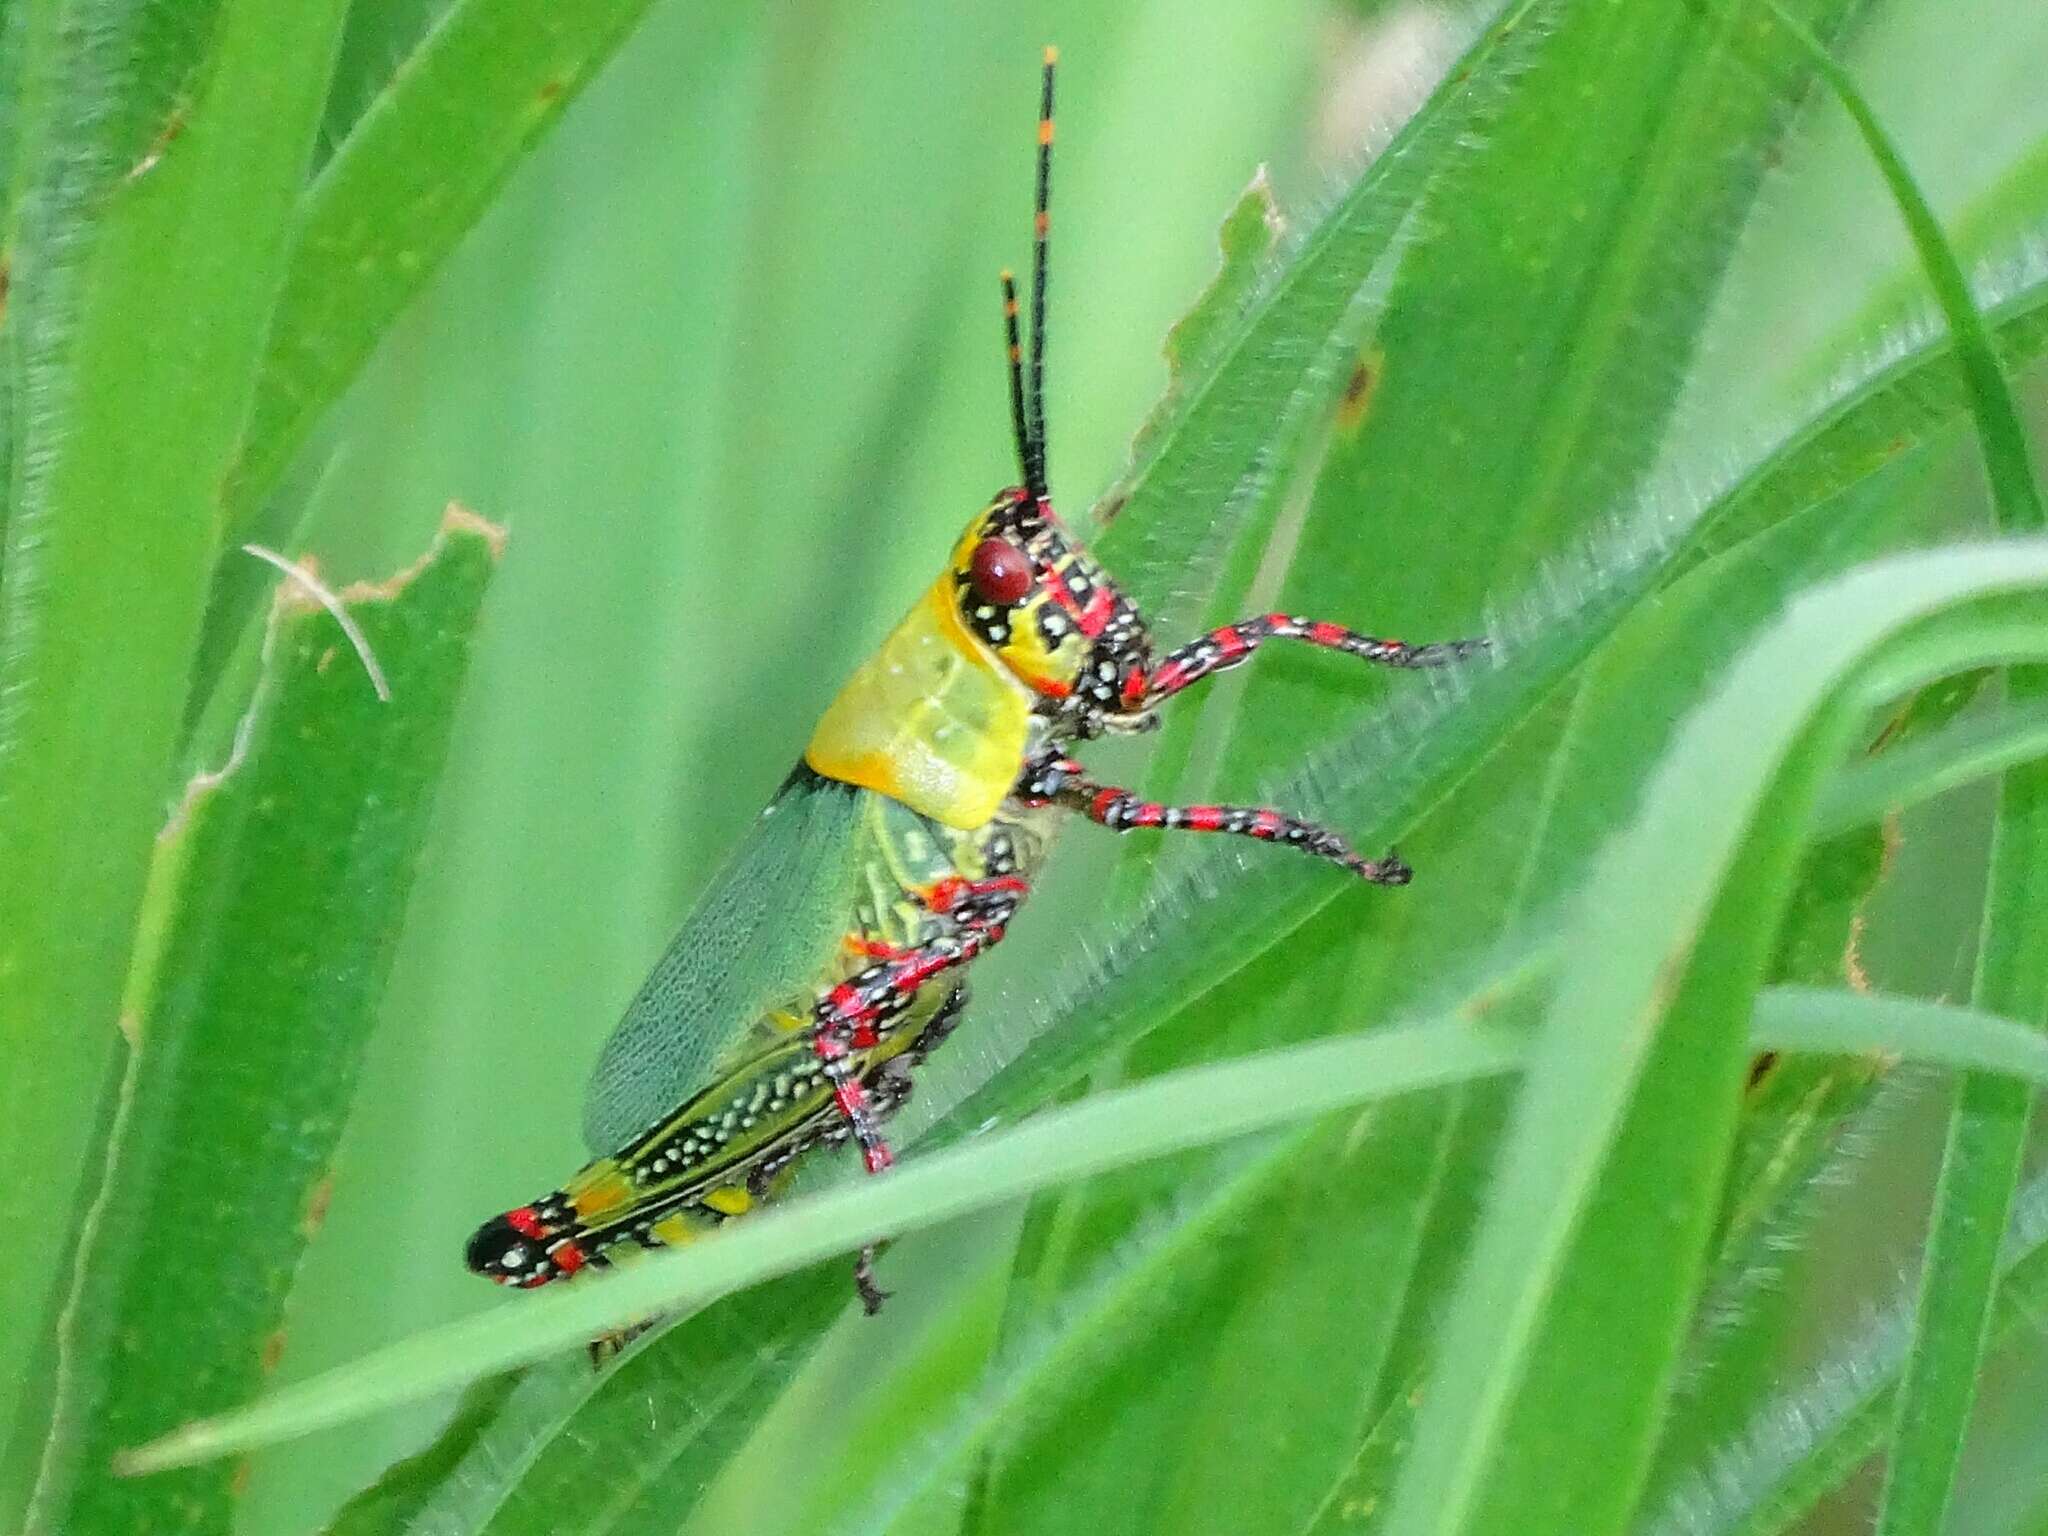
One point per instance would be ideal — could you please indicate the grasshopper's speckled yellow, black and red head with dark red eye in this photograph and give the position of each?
(1035, 597)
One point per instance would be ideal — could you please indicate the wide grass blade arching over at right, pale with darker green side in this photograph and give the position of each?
(1611, 1089)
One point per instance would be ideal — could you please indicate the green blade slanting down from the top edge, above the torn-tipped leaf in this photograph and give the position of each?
(415, 175)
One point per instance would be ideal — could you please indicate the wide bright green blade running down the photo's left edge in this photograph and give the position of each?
(136, 316)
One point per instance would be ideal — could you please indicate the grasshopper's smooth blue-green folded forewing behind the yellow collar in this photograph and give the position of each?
(757, 941)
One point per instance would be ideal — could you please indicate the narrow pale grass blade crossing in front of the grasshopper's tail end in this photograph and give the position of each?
(1189, 1111)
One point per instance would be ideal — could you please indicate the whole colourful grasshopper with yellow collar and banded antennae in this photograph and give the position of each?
(828, 957)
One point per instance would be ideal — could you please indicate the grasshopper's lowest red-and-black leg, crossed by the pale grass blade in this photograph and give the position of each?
(855, 1015)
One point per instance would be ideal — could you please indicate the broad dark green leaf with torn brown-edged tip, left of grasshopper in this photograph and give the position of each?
(273, 908)
